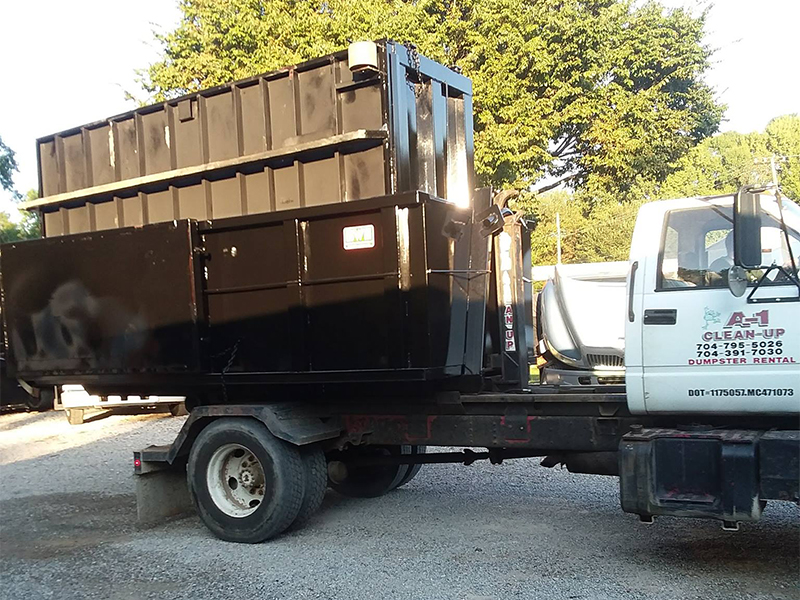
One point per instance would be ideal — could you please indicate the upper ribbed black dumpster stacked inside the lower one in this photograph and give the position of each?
(306, 135)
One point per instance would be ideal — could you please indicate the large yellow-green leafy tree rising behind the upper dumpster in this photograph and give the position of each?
(596, 94)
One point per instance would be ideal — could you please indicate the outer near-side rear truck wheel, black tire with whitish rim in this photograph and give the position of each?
(245, 448)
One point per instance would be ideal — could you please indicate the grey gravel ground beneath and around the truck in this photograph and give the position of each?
(68, 530)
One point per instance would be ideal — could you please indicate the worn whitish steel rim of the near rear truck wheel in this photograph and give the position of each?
(235, 480)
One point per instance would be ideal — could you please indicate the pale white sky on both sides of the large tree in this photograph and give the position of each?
(70, 63)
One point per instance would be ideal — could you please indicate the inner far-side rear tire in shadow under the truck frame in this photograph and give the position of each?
(368, 481)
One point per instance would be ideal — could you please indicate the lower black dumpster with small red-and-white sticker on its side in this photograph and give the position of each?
(370, 291)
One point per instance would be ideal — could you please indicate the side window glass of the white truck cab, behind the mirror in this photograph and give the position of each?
(697, 248)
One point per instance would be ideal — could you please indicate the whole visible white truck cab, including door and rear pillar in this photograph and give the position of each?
(704, 335)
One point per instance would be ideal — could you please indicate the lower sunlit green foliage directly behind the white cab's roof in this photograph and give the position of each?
(599, 227)
